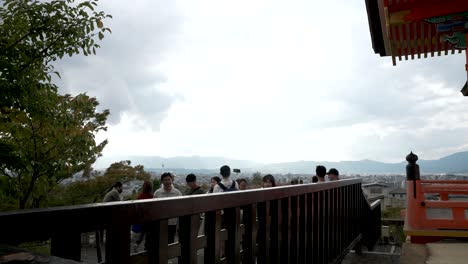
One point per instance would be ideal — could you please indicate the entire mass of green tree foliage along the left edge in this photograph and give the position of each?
(44, 137)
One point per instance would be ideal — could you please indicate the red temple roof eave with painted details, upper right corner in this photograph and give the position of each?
(417, 28)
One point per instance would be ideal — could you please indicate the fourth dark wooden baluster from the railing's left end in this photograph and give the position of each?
(188, 233)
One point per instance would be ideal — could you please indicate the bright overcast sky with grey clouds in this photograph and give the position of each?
(267, 81)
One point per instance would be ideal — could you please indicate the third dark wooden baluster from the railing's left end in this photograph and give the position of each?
(156, 241)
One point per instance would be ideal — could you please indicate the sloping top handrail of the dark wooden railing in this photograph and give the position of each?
(94, 216)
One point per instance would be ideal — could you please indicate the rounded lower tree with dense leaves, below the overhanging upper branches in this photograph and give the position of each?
(50, 140)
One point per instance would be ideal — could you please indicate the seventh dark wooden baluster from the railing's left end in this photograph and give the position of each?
(249, 218)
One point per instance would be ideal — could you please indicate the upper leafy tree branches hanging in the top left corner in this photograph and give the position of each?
(34, 34)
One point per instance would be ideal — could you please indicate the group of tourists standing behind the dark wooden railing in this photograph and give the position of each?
(218, 185)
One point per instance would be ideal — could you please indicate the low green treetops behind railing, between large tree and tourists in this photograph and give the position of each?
(93, 189)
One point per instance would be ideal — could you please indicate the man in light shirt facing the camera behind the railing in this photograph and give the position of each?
(168, 190)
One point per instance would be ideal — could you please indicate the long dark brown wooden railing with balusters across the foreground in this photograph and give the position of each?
(309, 223)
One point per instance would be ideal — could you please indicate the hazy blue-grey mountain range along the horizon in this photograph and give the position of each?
(455, 163)
